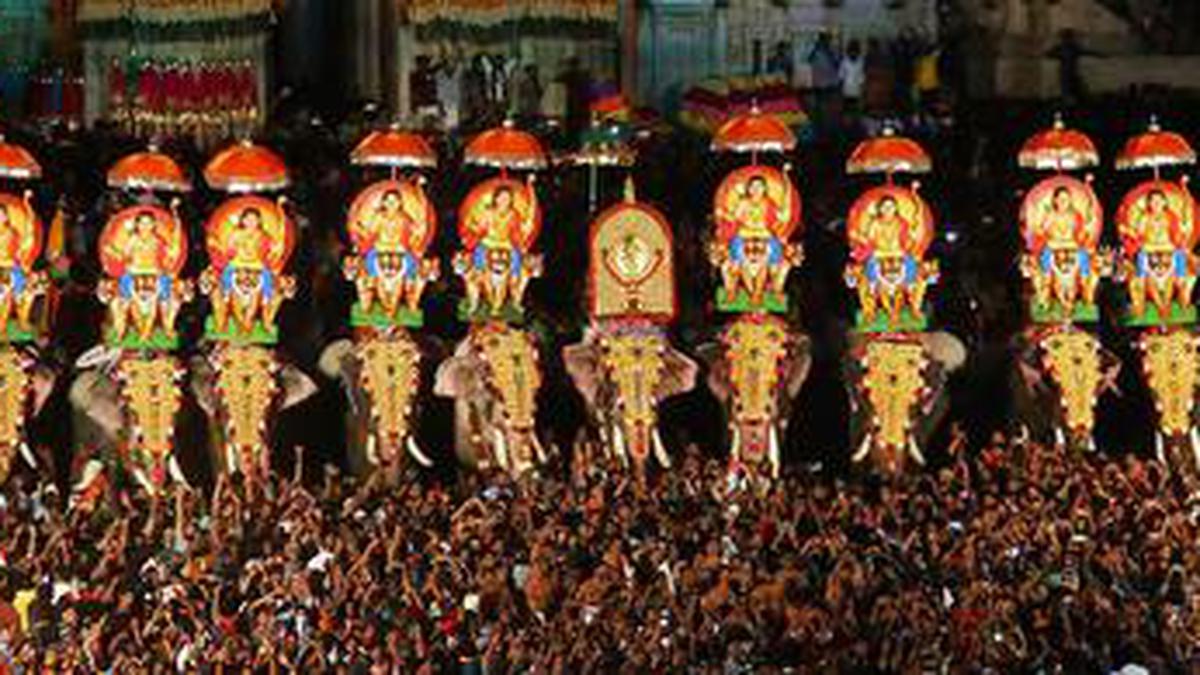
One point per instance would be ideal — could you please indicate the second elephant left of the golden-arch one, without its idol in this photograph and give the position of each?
(382, 381)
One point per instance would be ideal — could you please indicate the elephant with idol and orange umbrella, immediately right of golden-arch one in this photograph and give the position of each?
(760, 361)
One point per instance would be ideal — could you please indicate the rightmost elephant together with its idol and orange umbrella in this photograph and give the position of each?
(1159, 234)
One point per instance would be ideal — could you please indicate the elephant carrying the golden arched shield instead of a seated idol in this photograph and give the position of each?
(626, 365)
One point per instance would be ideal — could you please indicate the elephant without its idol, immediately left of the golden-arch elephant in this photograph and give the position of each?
(494, 378)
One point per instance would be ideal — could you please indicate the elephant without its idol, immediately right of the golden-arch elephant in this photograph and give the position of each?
(757, 371)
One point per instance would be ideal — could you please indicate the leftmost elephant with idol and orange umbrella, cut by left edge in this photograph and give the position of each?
(26, 383)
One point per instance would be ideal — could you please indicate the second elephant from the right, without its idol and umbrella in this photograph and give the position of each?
(1061, 373)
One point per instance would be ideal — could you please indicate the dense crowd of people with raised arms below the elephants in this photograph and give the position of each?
(1019, 559)
